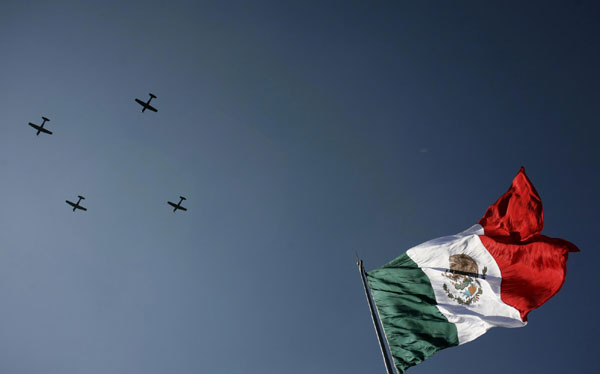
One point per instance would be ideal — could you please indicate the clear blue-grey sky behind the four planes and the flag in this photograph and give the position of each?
(300, 132)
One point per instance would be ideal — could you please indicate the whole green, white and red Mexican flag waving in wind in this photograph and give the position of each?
(451, 290)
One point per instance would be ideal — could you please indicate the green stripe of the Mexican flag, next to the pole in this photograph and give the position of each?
(414, 327)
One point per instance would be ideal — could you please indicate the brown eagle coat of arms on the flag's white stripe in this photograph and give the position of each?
(464, 286)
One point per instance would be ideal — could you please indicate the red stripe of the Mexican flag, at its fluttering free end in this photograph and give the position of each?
(533, 266)
